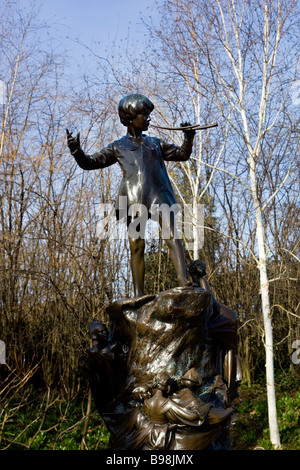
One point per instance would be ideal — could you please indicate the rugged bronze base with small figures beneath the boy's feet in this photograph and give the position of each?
(155, 375)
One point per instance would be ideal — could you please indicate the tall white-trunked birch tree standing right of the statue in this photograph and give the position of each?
(230, 22)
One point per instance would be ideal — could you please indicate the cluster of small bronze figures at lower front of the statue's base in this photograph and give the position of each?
(174, 421)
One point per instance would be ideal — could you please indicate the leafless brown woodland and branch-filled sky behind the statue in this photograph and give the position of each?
(205, 62)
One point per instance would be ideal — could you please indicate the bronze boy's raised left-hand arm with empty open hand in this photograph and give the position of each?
(97, 160)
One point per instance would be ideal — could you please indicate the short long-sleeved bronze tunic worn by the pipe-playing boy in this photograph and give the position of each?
(145, 178)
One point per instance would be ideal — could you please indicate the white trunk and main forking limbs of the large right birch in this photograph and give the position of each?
(253, 151)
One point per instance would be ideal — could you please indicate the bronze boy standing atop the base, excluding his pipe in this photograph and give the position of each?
(145, 179)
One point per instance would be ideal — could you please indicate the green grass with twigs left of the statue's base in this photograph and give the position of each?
(60, 427)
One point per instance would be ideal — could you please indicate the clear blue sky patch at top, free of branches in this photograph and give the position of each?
(95, 21)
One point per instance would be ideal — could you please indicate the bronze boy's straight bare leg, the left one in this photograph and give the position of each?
(137, 248)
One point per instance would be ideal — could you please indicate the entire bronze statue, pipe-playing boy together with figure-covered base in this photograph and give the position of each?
(164, 375)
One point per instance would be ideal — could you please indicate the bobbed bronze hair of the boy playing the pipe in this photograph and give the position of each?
(132, 105)
